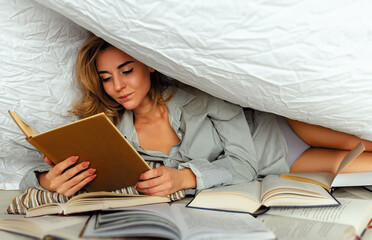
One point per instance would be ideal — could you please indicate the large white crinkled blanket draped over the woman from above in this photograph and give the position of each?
(303, 59)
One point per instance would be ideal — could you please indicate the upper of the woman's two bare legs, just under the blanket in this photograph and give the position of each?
(317, 136)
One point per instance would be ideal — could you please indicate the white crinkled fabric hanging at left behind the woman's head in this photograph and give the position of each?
(38, 49)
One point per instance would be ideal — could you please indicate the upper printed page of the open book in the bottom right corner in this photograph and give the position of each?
(354, 212)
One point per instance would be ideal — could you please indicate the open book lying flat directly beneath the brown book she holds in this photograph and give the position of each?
(92, 201)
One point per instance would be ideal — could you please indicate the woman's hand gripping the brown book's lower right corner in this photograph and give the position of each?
(163, 180)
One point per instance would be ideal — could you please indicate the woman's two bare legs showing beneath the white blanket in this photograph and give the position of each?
(328, 148)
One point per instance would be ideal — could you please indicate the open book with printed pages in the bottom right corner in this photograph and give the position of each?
(344, 222)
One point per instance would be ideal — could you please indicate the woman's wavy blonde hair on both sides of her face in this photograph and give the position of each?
(93, 97)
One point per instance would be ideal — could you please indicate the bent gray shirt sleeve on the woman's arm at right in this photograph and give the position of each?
(238, 163)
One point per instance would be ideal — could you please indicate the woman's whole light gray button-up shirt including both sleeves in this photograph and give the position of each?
(216, 141)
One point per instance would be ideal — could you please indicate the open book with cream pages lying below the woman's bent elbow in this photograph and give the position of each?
(253, 197)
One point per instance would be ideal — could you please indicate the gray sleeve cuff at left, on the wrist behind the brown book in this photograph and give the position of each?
(30, 180)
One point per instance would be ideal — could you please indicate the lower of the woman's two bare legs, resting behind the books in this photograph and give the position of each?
(328, 160)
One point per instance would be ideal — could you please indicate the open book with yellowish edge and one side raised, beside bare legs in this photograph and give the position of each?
(325, 179)
